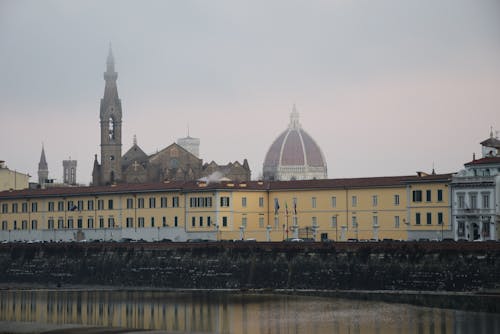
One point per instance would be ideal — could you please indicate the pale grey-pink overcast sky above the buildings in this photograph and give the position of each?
(385, 87)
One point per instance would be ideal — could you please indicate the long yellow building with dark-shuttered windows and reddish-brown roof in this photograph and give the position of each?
(399, 207)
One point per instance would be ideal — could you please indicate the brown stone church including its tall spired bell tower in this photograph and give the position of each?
(175, 162)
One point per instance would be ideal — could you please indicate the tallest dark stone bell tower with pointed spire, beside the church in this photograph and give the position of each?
(109, 170)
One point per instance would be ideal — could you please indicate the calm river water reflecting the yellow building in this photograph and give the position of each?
(218, 312)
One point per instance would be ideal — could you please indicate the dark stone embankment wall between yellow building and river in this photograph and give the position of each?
(429, 266)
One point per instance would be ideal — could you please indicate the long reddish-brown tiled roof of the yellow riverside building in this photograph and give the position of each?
(180, 186)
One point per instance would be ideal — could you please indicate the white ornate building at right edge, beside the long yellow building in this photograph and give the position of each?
(476, 196)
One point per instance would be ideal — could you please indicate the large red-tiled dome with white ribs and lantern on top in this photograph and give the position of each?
(294, 155)
